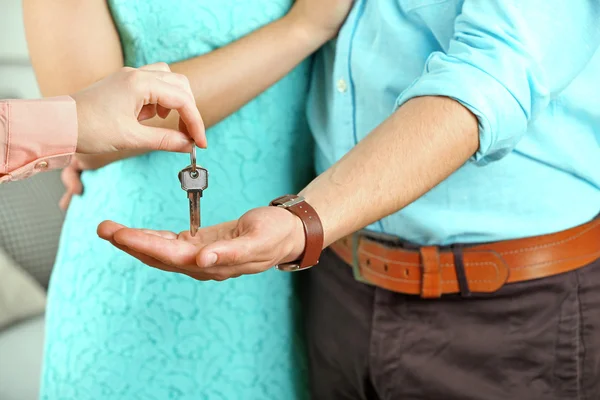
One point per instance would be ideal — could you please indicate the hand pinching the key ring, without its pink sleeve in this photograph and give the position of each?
(109, 112)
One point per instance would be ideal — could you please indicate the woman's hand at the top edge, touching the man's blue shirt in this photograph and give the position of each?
(320, 18)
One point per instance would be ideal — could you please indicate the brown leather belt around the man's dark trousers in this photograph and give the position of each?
(485, 268)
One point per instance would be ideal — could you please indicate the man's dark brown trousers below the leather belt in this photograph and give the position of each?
(530, 340)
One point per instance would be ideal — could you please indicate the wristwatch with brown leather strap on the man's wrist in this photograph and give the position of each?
(313, 231)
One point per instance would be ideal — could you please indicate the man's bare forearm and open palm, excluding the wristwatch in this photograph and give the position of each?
(363, 185)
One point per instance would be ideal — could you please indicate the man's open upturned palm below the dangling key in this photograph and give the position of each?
(259, 240)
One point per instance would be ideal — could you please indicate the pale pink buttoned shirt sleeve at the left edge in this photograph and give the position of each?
(36, 136)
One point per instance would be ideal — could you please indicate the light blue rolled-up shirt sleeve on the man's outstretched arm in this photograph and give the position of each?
(507, 60)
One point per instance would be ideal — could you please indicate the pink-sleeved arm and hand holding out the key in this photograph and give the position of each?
(39, 135)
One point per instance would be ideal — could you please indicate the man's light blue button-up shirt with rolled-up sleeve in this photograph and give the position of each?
(528, 69)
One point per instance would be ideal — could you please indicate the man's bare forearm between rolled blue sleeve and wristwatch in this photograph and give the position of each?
(420, 145)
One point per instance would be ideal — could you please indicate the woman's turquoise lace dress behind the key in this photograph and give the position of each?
(117, 329)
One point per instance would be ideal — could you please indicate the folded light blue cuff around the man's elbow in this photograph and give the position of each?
(502, 121)
